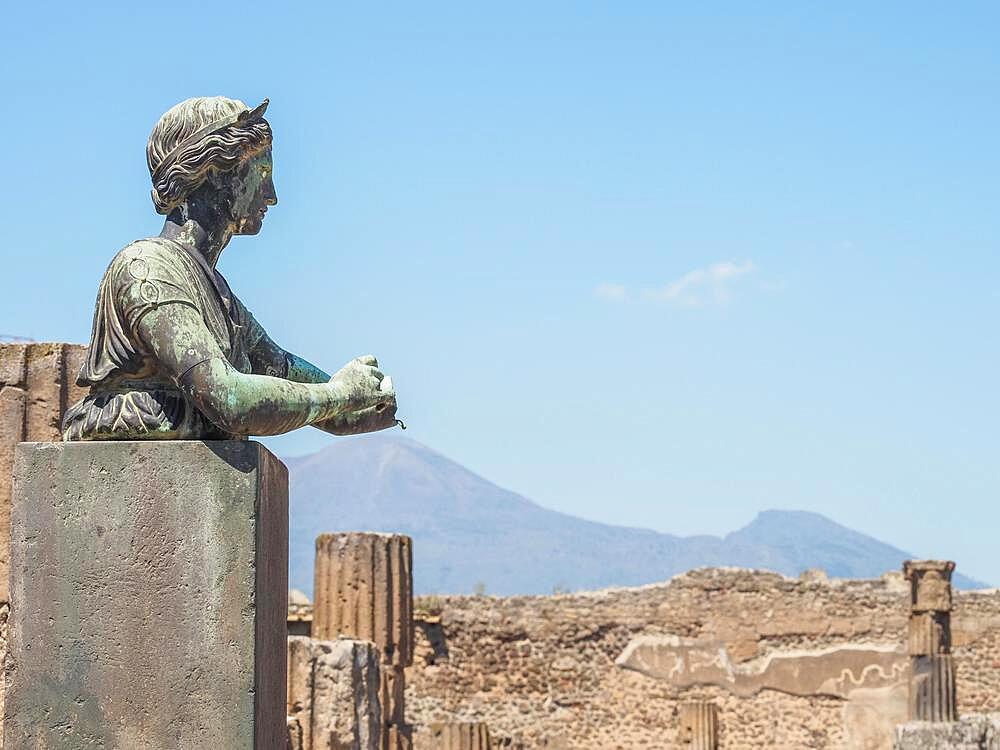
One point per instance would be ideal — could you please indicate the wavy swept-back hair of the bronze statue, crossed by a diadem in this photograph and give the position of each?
(221, 151)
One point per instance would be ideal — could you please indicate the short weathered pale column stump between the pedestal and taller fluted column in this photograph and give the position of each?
(333, 691)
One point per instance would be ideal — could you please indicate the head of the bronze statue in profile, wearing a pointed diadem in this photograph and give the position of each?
(217, 151)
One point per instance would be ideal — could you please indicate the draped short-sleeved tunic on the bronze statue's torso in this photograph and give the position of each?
(131, 397)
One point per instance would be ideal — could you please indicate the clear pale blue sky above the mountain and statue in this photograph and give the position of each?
(662, 265)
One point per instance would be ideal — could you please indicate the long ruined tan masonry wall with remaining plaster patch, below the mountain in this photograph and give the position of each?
(789, 663)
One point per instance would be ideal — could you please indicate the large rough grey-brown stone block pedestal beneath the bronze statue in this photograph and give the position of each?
(148, 597)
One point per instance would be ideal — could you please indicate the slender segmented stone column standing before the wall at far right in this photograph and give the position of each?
(932, 675)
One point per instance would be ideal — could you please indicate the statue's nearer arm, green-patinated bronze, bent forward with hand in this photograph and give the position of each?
(244, 404)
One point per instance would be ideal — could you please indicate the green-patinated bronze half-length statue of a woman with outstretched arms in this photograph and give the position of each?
(174, 354)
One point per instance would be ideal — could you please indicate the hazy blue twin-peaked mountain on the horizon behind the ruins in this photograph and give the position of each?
(468, 534)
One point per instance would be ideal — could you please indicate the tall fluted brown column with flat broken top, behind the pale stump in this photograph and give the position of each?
(364, 590)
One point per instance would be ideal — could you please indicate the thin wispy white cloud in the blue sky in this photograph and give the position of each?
(711, 285)
